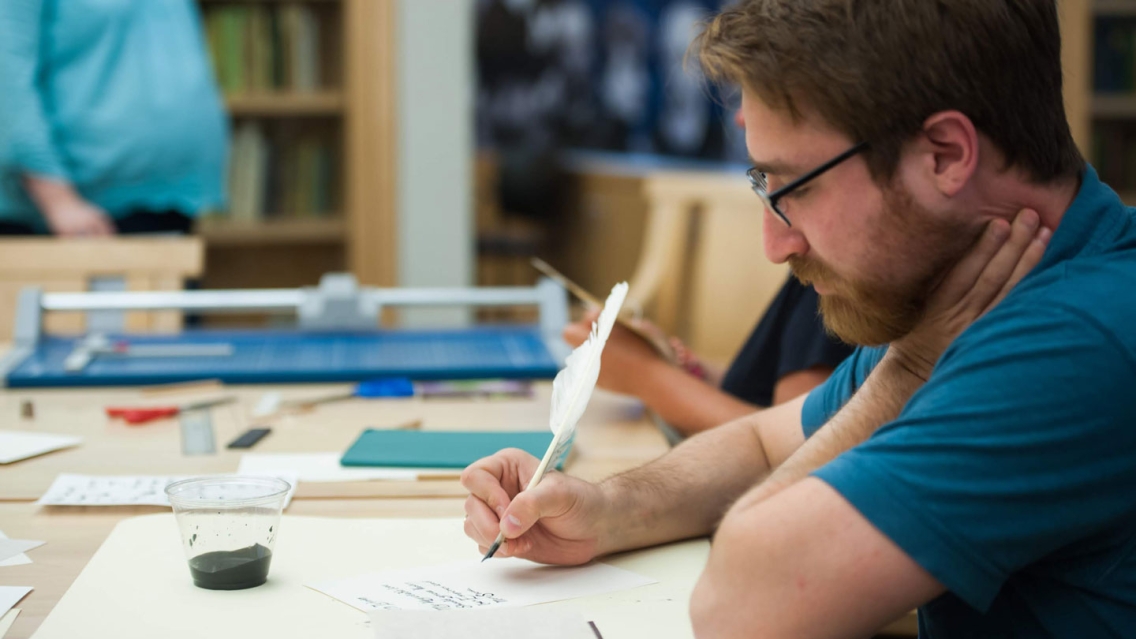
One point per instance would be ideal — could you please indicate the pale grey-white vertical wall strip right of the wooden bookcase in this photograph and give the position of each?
(436, 69)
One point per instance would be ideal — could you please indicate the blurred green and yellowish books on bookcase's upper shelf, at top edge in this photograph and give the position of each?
(264, 48)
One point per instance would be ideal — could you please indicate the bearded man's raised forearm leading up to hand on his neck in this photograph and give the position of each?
(880, 401)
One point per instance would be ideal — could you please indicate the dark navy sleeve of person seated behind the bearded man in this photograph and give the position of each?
(806, 344)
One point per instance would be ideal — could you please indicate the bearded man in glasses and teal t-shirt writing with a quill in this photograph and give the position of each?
(914, 163)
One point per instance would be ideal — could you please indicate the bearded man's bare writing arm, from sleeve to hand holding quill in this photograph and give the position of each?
(569, 521)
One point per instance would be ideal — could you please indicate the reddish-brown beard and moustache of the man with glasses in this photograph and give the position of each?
(876, 313)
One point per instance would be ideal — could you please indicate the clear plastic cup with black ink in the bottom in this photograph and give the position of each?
(229, 528)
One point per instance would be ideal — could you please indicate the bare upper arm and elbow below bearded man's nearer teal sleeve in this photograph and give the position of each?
(805, 565)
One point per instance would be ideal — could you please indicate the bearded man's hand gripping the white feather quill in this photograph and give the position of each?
(557, 522)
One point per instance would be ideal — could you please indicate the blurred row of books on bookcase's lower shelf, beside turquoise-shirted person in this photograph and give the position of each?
(280, 175)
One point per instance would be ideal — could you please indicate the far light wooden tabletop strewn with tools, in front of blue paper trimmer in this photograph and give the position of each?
(614, 435)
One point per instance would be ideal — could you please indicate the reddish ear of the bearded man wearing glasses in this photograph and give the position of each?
(949, 150)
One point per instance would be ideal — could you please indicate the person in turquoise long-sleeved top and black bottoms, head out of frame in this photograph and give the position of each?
(111, 120)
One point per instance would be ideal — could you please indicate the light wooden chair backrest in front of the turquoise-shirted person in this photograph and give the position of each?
(72, 265)
